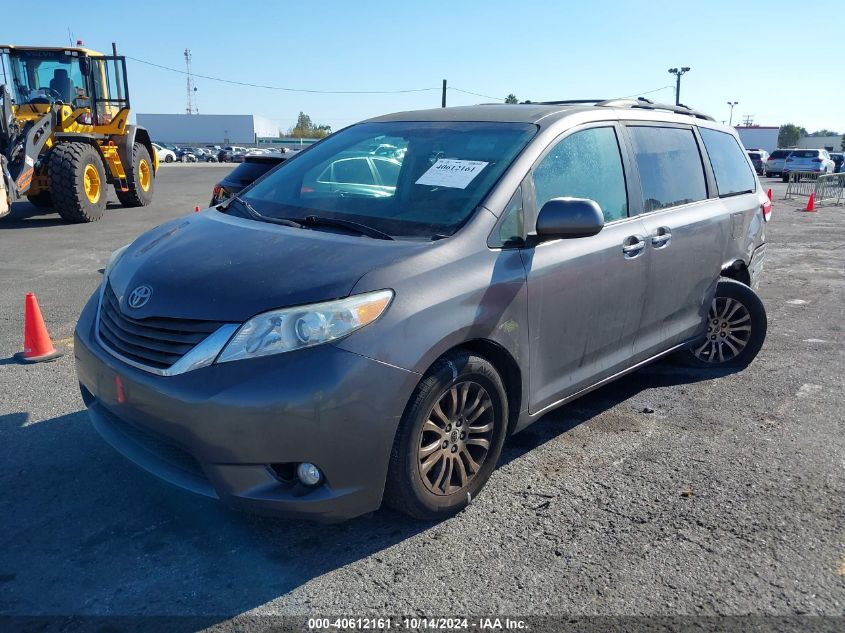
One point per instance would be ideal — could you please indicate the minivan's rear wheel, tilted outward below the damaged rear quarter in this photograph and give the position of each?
(736, 329)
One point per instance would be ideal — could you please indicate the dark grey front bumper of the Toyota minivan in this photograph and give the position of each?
(217, 430)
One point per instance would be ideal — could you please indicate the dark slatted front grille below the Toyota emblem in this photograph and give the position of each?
(155, 342)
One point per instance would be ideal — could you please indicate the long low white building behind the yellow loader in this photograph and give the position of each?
(201, 129)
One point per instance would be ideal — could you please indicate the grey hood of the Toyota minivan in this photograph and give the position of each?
(215, 267)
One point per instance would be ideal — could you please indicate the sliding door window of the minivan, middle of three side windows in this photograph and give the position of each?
(670, 166)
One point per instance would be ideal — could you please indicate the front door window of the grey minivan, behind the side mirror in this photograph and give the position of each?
(586, 164)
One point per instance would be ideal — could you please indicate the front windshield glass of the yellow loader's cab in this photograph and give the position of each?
(45, 77)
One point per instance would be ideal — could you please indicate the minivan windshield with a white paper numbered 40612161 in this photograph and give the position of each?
(410, 179)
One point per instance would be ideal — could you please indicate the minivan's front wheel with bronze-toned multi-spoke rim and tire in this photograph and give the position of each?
(449, 439)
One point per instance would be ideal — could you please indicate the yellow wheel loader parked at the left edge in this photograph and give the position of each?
(65, 134)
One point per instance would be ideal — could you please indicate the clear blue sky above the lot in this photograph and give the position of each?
(737, 51)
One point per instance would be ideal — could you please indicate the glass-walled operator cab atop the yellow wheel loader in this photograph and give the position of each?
(41, 78)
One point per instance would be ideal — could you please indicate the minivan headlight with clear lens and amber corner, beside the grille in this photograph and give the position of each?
(304, 326)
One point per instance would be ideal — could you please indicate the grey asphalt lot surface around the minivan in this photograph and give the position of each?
(726, 499)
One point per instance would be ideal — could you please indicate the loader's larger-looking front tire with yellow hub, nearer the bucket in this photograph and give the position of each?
(77, 182)
